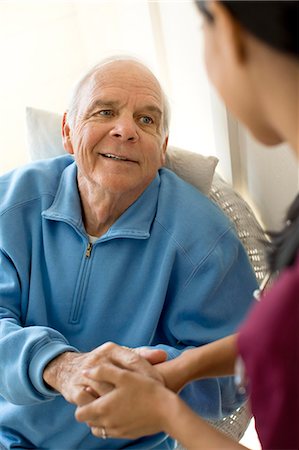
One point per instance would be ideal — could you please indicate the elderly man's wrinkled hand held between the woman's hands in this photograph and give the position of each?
(68, 372)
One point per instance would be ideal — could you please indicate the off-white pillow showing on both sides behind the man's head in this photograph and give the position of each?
(44, 141)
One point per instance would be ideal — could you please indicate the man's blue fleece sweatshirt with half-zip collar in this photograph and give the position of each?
(170, 272)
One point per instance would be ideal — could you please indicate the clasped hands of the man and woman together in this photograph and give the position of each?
(105, 384)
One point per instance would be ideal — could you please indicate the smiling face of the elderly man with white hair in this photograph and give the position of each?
(118, 139)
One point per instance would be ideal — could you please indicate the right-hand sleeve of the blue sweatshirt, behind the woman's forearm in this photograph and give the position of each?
(209, 305)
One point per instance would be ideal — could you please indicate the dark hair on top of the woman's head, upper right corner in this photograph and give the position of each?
(276, 23)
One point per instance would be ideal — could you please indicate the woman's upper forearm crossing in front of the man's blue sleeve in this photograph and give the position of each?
(211, 360)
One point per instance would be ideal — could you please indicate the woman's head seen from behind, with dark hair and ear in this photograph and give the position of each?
(251, 53)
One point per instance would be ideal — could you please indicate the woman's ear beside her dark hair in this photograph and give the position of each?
(232, 37)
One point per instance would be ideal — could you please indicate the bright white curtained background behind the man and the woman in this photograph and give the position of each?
(45, 45)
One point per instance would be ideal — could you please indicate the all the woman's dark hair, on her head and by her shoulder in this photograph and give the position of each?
(276, 23)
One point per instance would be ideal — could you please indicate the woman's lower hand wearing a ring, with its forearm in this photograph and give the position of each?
(139, 405)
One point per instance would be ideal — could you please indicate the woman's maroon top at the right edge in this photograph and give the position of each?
(268, 345)
